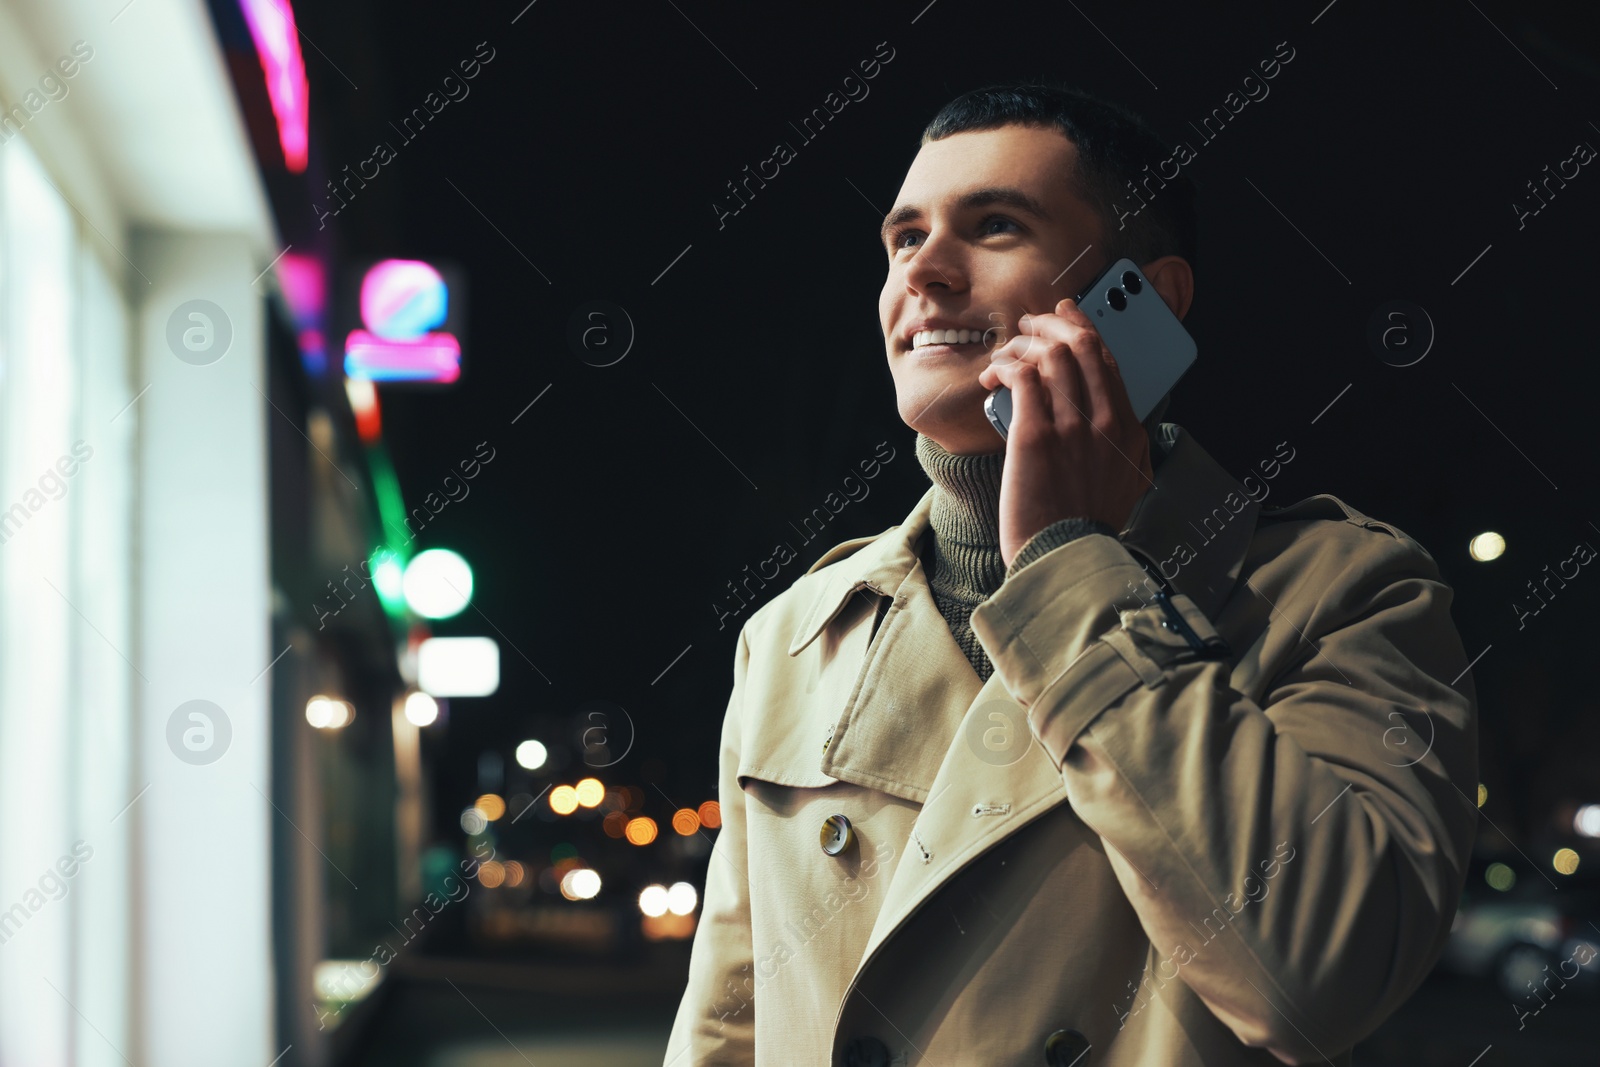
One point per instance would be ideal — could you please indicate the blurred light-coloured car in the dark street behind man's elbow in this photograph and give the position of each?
(1519, 932)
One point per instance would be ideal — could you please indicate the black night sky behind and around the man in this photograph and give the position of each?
(598, 138)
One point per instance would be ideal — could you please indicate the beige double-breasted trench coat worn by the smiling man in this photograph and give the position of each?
(1178, 860)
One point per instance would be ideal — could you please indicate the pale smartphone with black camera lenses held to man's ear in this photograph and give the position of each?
(1145, 337)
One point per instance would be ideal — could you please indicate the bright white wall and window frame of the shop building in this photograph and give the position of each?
(135, 877)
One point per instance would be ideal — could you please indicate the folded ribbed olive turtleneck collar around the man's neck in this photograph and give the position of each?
(966, 522)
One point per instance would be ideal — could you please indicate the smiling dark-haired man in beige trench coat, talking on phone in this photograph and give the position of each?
(1094, 761)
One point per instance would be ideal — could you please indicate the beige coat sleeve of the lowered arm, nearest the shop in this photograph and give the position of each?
(716, 1018)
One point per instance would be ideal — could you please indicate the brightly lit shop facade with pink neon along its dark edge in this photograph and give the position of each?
(180, 479)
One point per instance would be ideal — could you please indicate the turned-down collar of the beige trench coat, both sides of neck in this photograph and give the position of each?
(1194, 527)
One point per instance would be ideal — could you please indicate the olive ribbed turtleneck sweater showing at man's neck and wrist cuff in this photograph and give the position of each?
(962, 556)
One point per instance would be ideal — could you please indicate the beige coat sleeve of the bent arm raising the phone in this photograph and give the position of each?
(1298, 861)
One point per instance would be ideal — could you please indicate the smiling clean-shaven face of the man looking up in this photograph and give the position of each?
(983, 231)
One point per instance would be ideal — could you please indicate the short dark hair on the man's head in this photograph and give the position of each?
(1114, 148)
